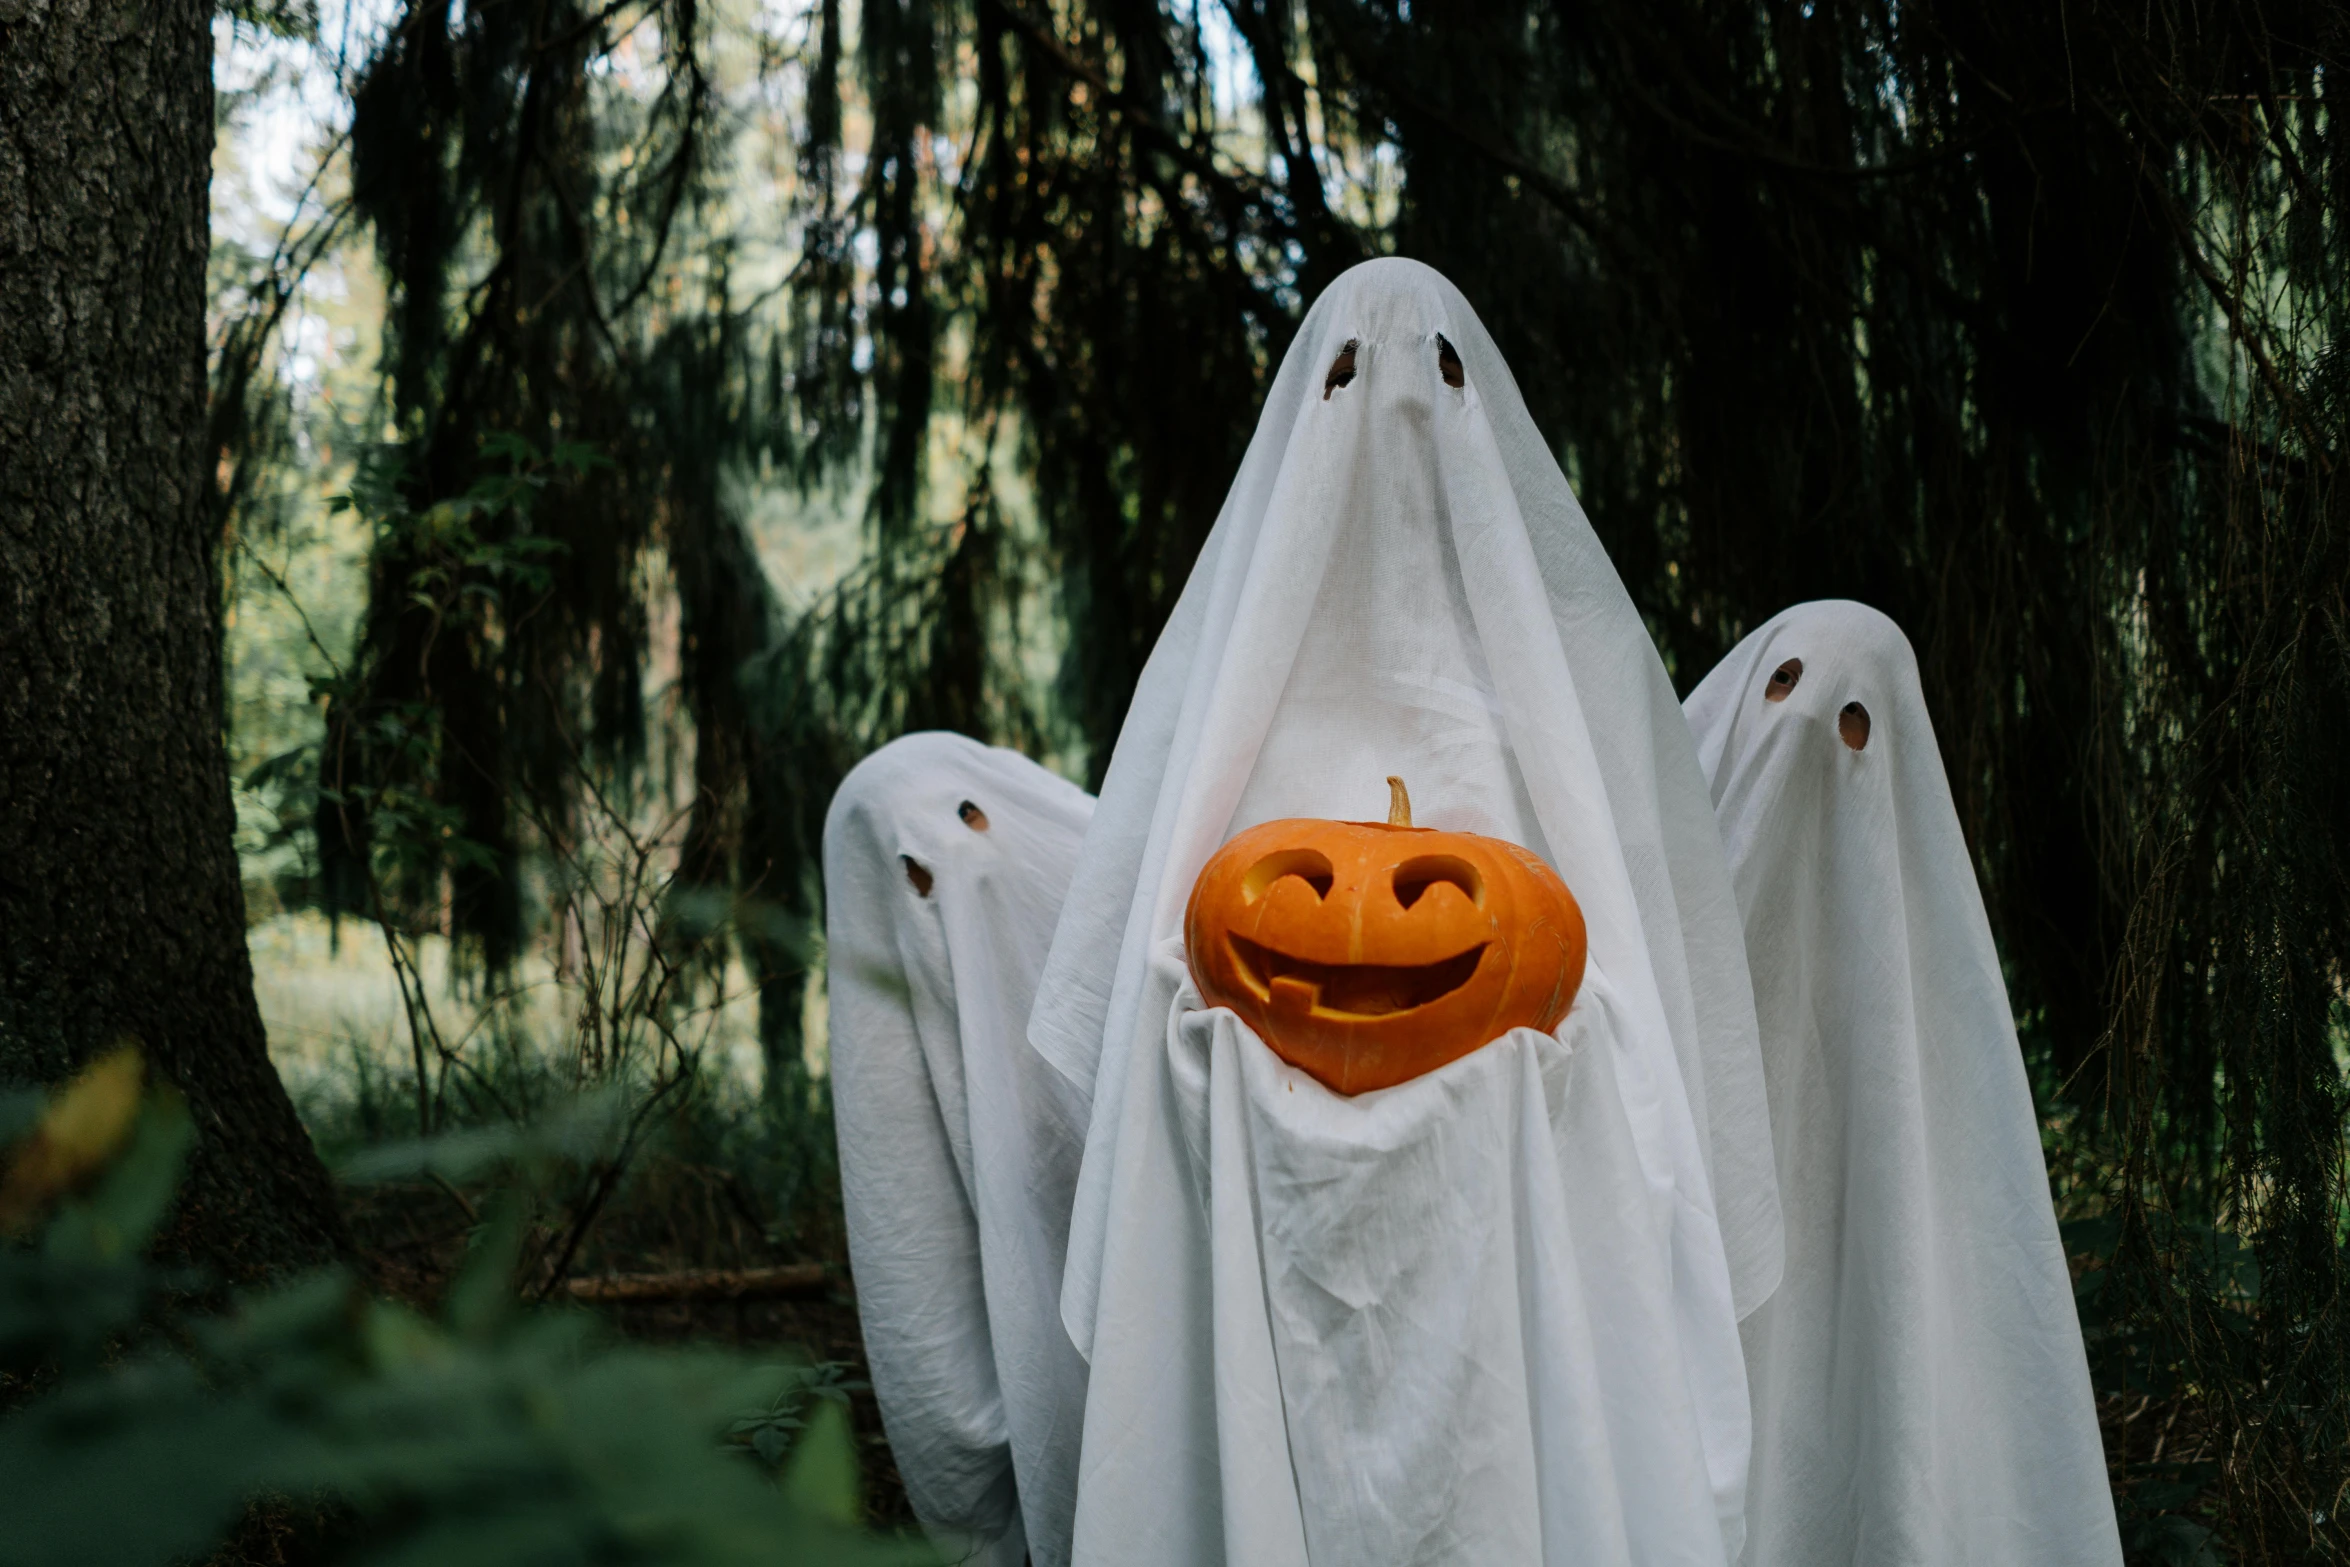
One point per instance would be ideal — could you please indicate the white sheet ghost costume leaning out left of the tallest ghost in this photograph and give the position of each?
(946, 866)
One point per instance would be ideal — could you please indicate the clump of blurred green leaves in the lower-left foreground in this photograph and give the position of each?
(495, 1437)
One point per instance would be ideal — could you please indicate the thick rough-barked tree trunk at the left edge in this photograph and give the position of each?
(121, 910)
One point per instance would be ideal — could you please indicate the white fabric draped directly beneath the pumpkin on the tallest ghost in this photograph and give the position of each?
(1421, 1326)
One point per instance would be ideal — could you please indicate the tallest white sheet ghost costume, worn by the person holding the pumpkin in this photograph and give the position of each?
(1489, 1314)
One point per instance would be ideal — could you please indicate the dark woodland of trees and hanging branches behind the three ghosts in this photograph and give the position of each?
(2025, 321)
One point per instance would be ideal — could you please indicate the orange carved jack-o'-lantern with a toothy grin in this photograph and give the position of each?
(1374, 953)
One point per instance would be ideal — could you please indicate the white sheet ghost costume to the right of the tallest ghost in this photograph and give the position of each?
(1919, 1383)
